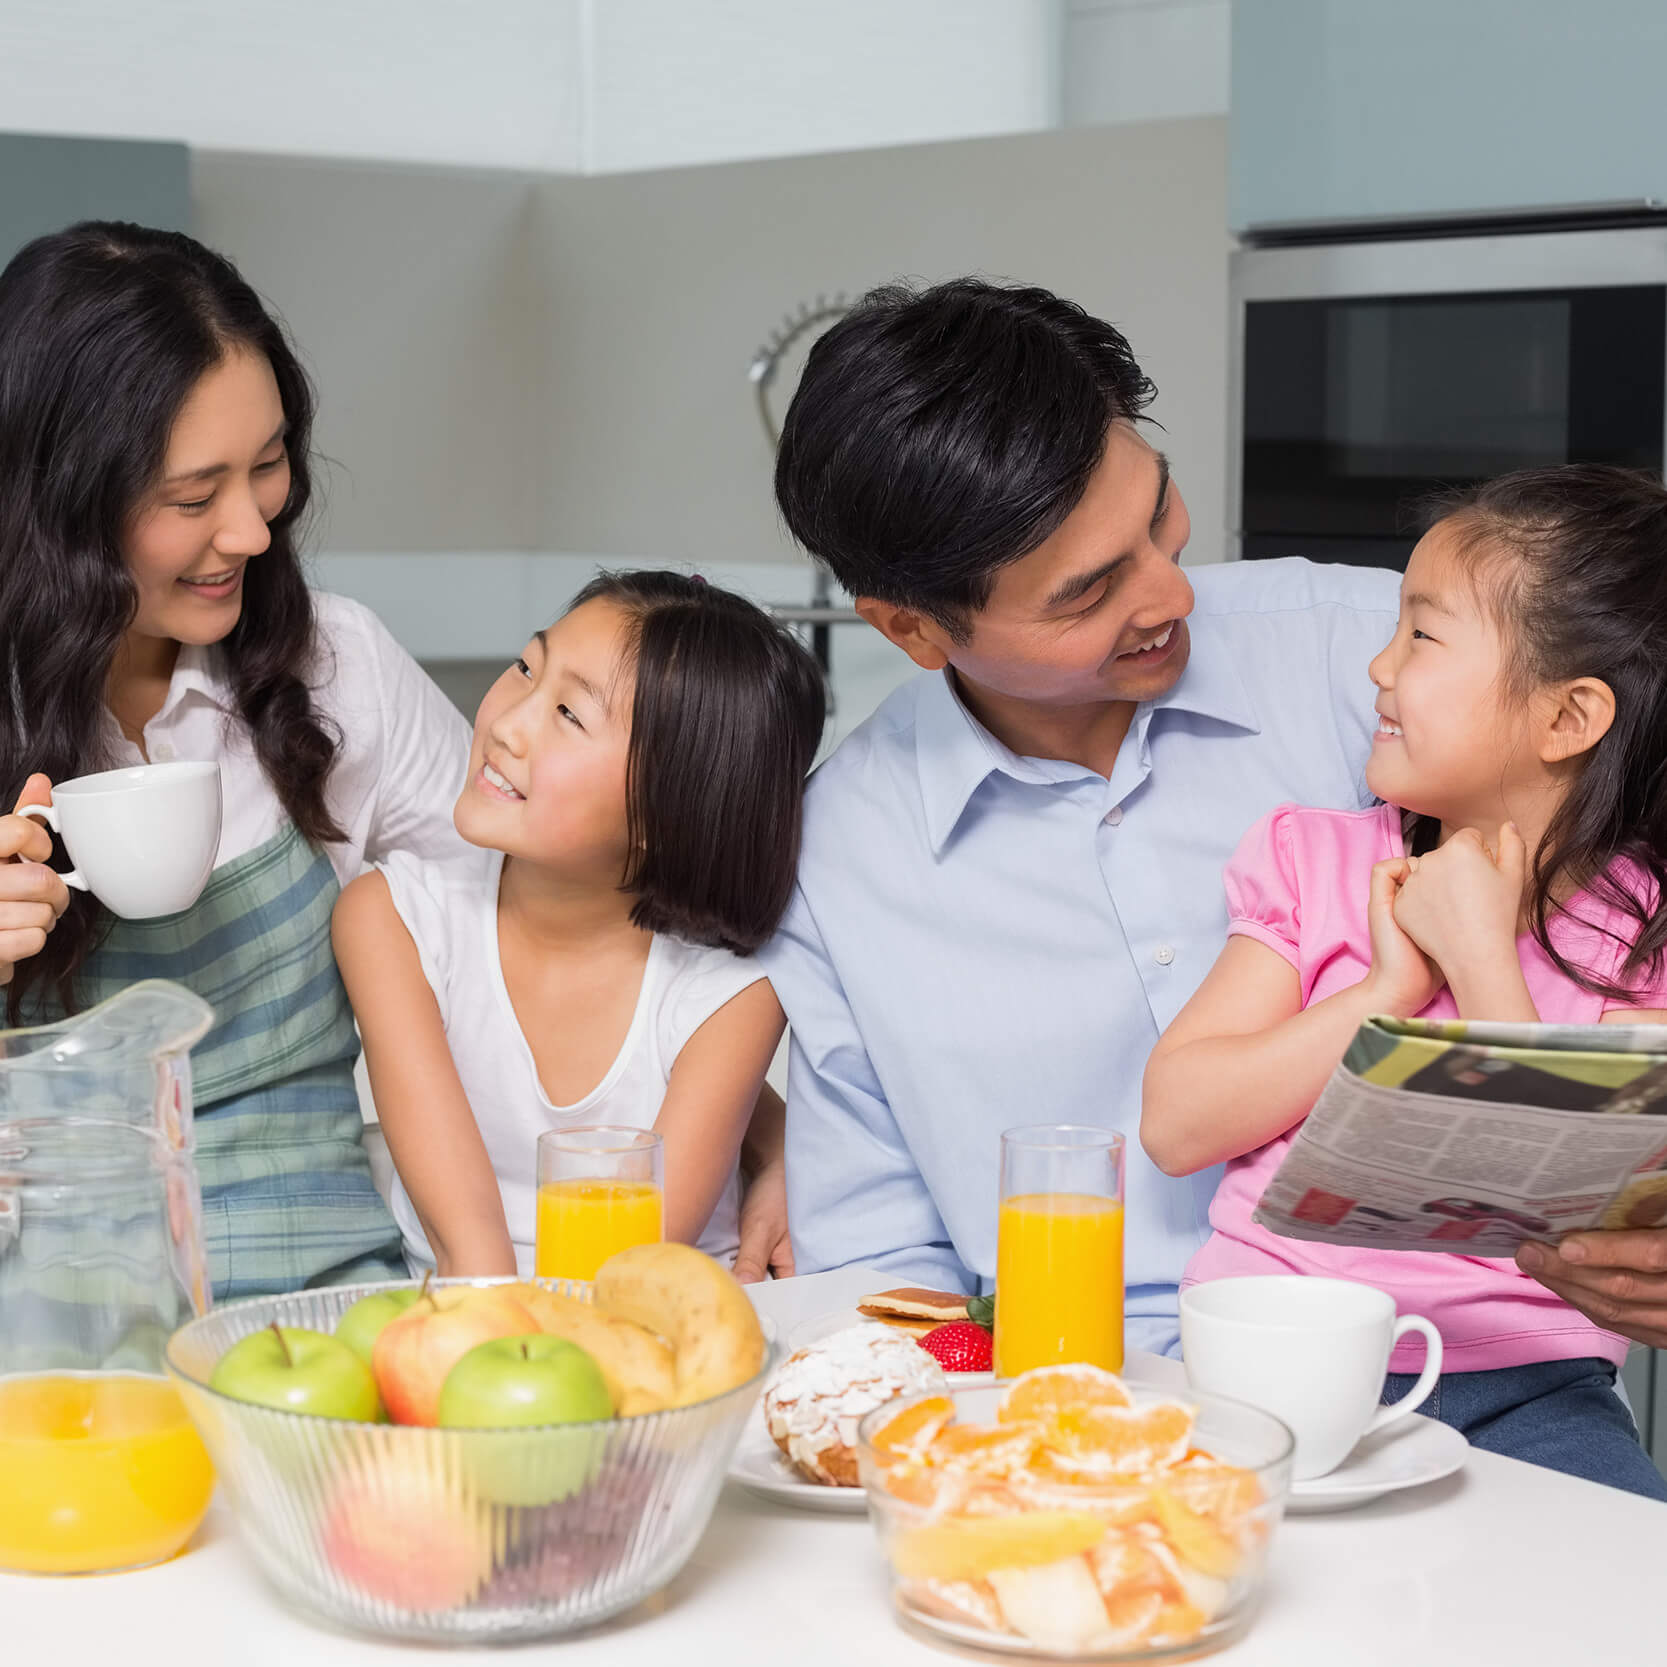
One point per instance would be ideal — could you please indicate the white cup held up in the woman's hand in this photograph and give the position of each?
(143, 839)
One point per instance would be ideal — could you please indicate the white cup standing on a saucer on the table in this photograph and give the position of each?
(1311, 1351)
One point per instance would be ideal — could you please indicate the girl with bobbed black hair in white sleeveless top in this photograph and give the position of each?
(634, 793)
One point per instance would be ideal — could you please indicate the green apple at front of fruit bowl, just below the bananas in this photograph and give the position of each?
(508, 1393)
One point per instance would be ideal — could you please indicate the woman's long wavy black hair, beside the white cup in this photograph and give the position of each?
(104, 333)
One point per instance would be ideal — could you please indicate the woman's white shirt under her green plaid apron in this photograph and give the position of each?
(404, 746)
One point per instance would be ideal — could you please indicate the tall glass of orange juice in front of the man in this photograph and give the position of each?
(1059, 1249)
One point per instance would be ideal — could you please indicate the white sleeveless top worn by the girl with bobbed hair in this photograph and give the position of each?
(453, 916)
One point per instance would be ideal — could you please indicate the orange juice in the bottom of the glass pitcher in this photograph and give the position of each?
(99, 1471)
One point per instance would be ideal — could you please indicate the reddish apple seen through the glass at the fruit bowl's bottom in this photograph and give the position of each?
(399, 1534)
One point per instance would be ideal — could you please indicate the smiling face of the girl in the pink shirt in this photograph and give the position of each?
(1451, 739)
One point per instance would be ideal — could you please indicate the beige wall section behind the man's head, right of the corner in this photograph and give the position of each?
(664, 283)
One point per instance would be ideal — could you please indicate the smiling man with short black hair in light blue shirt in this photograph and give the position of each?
(1011, 874)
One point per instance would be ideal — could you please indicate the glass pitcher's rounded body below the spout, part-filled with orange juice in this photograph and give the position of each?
(101, 1259)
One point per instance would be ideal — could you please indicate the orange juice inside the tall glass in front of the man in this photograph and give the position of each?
(1059, 1283)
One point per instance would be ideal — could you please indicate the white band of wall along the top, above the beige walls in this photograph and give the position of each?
(569, 86)
